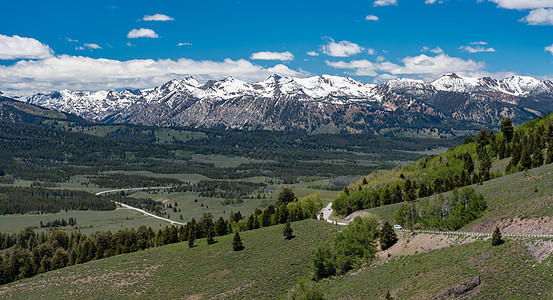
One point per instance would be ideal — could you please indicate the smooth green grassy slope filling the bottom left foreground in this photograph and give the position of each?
(267, 268)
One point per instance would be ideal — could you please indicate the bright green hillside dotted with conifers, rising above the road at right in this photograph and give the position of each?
(528, 146)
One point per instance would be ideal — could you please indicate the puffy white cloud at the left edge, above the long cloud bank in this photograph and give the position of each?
(16, 47)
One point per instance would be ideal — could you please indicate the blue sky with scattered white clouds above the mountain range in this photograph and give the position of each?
(93, 45)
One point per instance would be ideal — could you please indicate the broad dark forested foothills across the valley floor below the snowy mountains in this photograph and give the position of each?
(51, 153)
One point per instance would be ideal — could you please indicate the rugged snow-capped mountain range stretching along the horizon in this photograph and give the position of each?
(319, 103)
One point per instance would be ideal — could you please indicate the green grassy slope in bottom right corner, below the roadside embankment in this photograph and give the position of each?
(506, 271)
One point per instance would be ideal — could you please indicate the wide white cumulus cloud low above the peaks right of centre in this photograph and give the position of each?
(421, 66)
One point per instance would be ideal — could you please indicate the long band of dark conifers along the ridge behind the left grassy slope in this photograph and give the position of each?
(27, 253)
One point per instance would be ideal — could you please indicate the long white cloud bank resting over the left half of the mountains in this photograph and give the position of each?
(85, 73)
